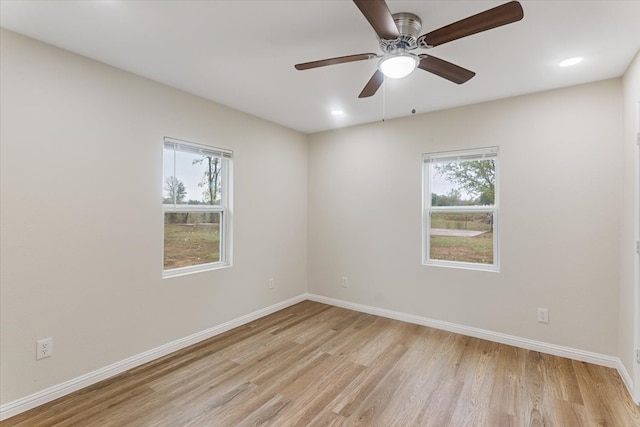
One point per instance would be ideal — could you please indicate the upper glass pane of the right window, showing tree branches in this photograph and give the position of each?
(466, 183)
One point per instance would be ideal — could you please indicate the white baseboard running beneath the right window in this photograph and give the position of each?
(556, 350)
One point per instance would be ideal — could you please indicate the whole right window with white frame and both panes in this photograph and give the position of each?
(460, 209)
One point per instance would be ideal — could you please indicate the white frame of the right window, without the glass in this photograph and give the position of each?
(430, 159)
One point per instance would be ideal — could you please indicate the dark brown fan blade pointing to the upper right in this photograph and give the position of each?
(492, 18)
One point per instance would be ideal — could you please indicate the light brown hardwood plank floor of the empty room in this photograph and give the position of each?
(313, 364)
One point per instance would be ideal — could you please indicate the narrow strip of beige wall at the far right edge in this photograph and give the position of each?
(629, 220)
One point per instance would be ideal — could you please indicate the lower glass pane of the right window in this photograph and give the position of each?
(462, 237)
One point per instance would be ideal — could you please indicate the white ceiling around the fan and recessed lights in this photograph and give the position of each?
(242, 53)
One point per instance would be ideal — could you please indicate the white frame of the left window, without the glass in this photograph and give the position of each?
(224, 208)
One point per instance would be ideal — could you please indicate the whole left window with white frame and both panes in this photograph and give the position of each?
(196, 200)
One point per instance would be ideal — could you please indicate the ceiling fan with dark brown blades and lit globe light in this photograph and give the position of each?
(399, 34)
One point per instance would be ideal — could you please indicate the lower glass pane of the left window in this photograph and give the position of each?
(191, 238)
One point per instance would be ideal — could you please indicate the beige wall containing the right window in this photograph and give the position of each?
(560, 162)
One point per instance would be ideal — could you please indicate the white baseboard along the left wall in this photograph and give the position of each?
(47, 395)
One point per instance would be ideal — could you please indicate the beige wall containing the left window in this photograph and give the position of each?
(81, 223)
